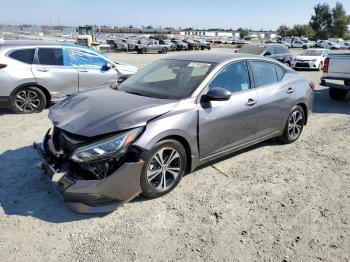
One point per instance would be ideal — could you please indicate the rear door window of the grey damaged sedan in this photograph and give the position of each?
(264, 73)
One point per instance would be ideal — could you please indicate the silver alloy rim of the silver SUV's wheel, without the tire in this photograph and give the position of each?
(27, 100)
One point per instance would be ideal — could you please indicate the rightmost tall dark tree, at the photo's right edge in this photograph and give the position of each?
(340, 21)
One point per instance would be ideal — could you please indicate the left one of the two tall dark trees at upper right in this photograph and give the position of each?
(321, 21)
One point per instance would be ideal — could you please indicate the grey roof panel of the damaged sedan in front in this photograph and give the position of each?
(210, 57)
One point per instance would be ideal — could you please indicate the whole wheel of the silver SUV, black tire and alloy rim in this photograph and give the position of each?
(33, 100)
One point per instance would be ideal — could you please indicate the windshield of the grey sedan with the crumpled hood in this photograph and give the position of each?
(167, 79)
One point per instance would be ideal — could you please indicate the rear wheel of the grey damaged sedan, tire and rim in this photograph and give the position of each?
(294, 126)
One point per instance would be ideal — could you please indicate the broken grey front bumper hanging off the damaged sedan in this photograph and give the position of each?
(94, 196)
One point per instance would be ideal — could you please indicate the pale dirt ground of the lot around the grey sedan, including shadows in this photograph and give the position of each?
(271, 202)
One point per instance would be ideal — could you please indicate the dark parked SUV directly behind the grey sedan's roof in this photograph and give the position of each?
(276, 51)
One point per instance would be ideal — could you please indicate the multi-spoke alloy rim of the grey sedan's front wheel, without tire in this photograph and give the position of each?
(163, 169)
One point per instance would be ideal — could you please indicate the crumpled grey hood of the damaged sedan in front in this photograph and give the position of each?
(104, 111)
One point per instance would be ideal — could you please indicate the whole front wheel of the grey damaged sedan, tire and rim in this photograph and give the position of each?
(165, 164)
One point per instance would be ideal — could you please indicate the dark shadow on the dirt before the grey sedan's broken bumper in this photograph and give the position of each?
(25, 191)
